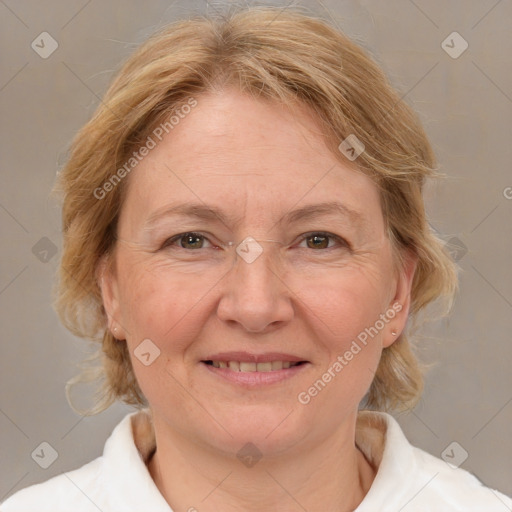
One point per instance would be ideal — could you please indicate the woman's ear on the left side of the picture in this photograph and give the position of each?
(107, 280)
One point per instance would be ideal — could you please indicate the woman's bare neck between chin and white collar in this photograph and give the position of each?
(191, 478)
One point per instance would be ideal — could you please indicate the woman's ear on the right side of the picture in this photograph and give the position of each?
(402, 299)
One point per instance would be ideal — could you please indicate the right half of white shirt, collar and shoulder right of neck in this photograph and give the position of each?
(411, 480)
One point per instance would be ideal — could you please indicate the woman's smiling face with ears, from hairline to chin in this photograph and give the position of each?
(302, 289)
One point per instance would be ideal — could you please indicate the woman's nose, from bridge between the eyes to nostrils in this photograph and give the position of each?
(256, 295)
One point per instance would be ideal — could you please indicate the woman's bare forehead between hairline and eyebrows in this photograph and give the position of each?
(247, 157)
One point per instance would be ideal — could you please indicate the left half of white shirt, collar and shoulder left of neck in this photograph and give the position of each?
(116, 481)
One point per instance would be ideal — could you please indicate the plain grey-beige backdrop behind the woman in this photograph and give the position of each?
(466, 105)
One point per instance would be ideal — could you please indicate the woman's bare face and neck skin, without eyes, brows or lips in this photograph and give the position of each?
(288, 300)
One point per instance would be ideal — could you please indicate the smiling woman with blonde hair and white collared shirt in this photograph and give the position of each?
(245, 235)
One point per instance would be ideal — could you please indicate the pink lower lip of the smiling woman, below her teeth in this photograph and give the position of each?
(255, 379)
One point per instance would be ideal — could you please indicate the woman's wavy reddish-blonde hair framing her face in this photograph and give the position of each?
(286, 56)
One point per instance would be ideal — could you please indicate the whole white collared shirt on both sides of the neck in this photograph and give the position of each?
(408, 479)
